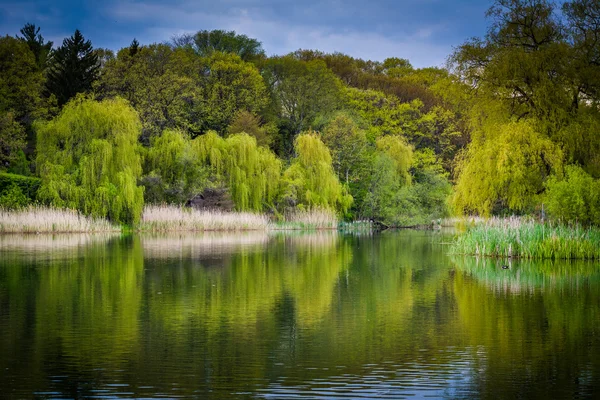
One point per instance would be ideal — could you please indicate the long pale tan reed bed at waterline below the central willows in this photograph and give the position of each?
(166, 218)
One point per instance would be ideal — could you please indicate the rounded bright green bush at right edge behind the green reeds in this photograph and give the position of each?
(575, 198)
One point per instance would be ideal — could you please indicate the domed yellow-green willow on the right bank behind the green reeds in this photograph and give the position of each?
(504, 169)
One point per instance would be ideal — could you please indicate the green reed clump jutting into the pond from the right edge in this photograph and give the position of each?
(528, 239)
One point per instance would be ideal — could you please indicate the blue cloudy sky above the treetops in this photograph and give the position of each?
(422, 31)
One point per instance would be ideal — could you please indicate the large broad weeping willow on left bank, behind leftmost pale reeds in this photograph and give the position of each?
(88, 159)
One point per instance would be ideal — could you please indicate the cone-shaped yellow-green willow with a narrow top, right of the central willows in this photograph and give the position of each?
(310, 181)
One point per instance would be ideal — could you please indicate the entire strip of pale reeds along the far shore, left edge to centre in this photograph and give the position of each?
(166, 218)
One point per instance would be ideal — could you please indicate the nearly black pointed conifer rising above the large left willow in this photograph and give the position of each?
(73, 68)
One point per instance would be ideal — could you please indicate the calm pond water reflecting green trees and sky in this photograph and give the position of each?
(302, 316)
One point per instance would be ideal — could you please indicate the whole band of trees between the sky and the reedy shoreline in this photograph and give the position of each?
(508, 127)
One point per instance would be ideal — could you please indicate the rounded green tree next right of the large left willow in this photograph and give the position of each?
(174, 173)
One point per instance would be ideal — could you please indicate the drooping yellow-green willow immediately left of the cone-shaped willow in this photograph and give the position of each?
(250, 172)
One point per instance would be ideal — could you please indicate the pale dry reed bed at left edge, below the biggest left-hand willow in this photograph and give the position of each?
(38, 219)
